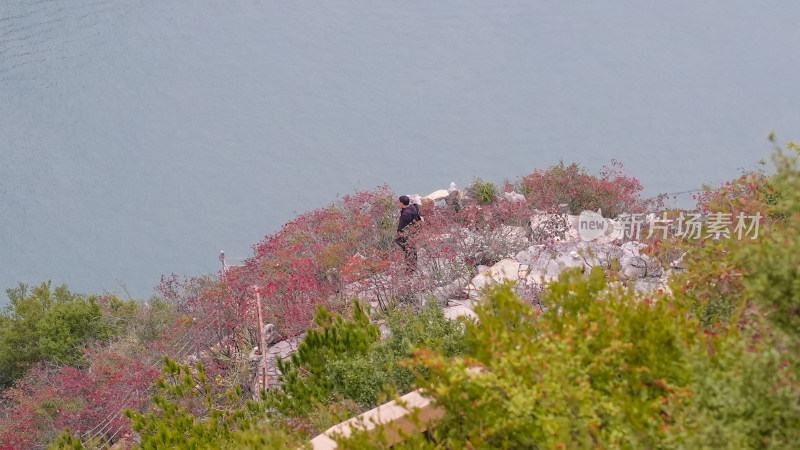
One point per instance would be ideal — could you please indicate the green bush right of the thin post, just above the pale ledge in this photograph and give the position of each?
(345, 360)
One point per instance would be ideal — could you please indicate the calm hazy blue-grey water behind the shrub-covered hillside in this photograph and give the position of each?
(139, 138)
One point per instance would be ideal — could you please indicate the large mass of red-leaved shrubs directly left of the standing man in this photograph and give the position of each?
(299, 267)
